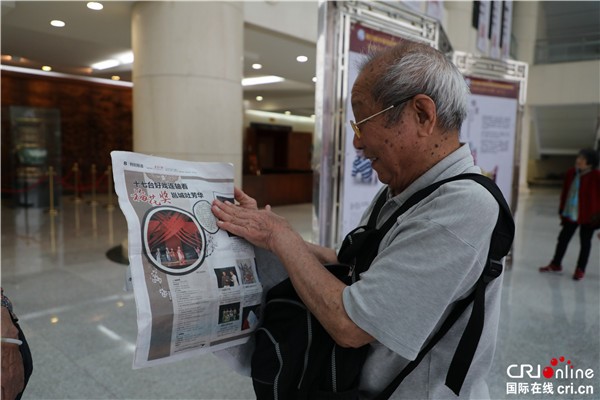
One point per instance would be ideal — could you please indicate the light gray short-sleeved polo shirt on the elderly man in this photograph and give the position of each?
(431, 258)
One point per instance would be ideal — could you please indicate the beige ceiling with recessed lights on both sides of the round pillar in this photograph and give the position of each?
(92, 36)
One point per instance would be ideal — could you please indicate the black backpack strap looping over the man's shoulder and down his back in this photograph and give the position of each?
(500, 245)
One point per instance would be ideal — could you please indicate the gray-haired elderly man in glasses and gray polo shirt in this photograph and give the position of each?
(410, 102)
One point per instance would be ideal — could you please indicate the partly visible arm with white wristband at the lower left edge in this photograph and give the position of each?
(13, 375)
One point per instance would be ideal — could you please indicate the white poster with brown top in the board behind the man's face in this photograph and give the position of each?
(360, 183)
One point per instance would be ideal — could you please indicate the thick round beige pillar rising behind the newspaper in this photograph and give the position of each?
(187, 93)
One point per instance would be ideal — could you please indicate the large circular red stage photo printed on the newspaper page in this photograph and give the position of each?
(173, 240)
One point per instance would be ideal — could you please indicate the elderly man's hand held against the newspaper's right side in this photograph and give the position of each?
(259, 227)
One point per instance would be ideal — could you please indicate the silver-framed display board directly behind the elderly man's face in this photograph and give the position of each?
(344, 183)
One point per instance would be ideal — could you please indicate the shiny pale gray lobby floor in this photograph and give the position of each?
(81, 325)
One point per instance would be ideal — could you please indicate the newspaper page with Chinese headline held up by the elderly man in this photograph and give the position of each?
(196, 286)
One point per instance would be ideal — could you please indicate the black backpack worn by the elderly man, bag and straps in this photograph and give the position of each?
(295, 358)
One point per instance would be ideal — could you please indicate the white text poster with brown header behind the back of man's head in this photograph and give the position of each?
(491, 127)
